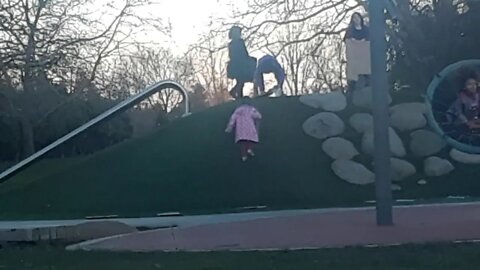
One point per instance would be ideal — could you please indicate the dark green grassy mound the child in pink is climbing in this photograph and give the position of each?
(192, 166)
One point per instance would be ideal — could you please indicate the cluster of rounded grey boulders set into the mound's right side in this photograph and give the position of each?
(411, 140)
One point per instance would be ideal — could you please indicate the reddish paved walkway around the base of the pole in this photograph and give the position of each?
(350, 227)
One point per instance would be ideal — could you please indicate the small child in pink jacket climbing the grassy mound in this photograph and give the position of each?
(245, 120)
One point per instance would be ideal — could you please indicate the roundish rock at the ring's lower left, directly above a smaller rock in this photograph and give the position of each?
(425, 143)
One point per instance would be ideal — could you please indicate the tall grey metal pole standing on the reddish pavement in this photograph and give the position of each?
(380, 112)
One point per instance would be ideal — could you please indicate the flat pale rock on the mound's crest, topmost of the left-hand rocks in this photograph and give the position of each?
(331, 101)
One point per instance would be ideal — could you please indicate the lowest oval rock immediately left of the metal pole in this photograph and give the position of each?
(353, 172)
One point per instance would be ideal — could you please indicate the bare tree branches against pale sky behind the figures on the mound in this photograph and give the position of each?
(305, 35)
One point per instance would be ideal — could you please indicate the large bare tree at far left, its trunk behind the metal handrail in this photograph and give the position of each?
(45, 42)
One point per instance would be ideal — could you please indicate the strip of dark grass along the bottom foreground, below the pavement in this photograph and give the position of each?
(438, 257)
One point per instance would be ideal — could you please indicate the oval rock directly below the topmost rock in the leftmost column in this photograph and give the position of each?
(324, 125)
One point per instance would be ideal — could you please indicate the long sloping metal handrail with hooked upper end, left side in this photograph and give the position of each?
(119, 108)
